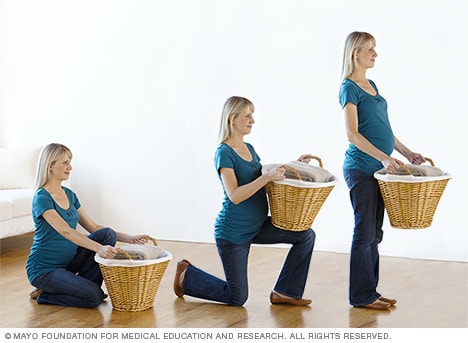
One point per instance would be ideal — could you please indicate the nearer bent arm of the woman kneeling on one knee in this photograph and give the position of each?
(237, 193)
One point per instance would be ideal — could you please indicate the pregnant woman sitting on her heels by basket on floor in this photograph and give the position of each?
(61, 261)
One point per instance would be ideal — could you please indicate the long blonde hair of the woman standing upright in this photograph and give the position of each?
(353, 44)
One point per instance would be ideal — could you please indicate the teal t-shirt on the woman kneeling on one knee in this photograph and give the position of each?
(240, 223)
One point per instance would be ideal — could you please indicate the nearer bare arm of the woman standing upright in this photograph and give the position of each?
(351, 124)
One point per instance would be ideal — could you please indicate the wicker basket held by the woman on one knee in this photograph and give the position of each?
(294, 204)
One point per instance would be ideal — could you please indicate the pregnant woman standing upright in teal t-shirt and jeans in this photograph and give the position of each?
(371, 144)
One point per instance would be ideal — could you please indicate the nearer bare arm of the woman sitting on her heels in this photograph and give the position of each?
(61, 226)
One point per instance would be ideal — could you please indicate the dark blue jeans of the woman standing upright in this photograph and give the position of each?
(369, 210)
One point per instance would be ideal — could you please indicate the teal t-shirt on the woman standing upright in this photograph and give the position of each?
(373, 124)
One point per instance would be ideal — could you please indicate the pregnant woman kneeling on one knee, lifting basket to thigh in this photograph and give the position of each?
(243, 220)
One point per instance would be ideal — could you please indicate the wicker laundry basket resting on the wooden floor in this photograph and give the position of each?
(132, 284)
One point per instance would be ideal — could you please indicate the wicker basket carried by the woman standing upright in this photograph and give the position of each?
(411, 201)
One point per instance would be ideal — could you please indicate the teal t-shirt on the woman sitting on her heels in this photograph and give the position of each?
(50, 250)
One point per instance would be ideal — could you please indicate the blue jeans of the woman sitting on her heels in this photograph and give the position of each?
(79, 284)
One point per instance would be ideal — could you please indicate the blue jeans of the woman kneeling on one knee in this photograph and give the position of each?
(234, 291)
